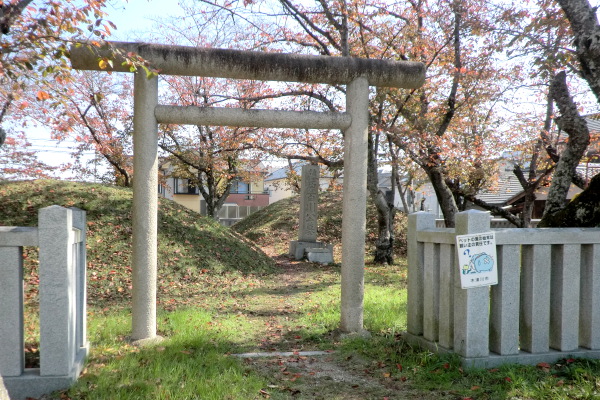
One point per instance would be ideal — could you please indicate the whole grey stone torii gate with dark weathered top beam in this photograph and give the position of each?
(356, 73)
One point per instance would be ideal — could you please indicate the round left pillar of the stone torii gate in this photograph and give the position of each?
(145, 207)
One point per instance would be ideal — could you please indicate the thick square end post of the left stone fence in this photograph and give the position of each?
(62, 338)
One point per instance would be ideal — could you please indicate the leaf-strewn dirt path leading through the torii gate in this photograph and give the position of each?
(325, 376)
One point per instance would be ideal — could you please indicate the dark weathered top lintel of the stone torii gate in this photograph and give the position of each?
(238, 64)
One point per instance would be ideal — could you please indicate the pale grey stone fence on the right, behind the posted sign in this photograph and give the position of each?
(546, 305)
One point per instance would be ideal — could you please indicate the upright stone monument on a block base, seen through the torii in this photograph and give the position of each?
(307, 244)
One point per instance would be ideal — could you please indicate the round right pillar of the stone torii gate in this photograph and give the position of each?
(354, 206)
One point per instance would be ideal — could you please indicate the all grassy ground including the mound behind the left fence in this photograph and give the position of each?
(221, 295)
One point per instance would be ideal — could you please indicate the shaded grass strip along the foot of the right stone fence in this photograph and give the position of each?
(443, 375)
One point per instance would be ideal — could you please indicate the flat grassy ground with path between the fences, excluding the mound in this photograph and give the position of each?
(296, 309)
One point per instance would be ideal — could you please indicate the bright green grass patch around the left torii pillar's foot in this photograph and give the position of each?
(191, 364)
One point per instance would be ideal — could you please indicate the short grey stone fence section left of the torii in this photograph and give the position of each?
(60, 236)
